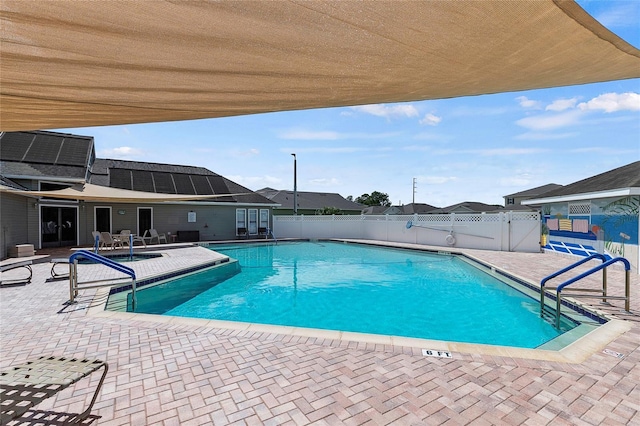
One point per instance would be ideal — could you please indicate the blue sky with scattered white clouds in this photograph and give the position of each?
(476, 148)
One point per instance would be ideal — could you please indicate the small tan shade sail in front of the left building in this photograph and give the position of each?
(105, 194)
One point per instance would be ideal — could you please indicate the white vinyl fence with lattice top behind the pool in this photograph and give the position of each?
(508, 231)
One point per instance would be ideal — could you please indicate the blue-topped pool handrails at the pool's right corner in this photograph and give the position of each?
(547, 311)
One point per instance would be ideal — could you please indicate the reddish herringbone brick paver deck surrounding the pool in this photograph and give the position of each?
(182, 373)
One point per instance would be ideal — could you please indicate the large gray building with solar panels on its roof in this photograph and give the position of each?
(199, 205)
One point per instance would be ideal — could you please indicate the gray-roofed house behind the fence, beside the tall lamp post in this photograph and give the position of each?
(309, 203)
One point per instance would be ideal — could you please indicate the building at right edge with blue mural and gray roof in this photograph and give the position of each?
(596, 214)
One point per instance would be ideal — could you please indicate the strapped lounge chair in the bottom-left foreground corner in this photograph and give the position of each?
(26, 385)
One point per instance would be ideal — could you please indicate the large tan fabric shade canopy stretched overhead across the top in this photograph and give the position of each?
(69, 63)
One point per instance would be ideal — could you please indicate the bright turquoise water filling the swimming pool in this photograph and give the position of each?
(351, 287)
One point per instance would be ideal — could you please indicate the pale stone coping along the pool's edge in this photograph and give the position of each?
(574, 353)
